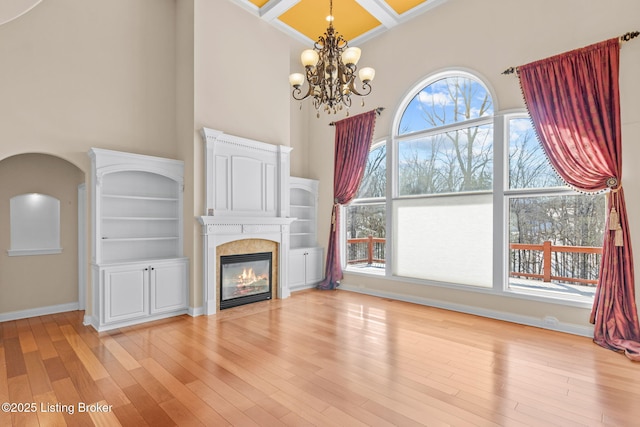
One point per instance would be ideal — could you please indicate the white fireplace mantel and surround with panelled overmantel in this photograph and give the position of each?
(247, 197)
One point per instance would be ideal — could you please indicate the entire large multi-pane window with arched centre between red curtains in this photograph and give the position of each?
(472, 193)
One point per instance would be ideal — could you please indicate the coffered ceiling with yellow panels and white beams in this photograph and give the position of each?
(356, 20)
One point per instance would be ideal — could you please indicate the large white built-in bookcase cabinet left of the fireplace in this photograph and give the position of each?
(138, 270)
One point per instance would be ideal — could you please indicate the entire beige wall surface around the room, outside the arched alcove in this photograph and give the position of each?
(146, 75)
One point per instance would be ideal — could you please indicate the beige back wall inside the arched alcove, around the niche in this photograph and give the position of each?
(28, 282)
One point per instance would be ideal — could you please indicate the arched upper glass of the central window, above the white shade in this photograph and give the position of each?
(445, 137)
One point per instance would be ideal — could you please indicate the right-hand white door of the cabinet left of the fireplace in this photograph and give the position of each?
(168, 287)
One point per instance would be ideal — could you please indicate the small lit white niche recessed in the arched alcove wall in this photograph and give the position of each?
(35, 225)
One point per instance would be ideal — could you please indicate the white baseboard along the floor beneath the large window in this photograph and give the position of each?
(545, 323)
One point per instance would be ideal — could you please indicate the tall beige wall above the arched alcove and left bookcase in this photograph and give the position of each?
(82, 74)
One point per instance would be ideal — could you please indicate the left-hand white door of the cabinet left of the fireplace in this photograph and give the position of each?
(126, 293)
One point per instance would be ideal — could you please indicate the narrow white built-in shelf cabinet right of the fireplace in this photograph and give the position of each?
(305, 256)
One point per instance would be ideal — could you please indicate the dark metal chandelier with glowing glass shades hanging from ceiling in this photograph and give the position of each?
(330, 72)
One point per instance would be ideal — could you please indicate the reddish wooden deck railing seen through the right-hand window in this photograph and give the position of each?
(551, 266)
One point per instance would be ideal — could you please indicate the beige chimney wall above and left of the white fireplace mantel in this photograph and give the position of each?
(240, 69)
